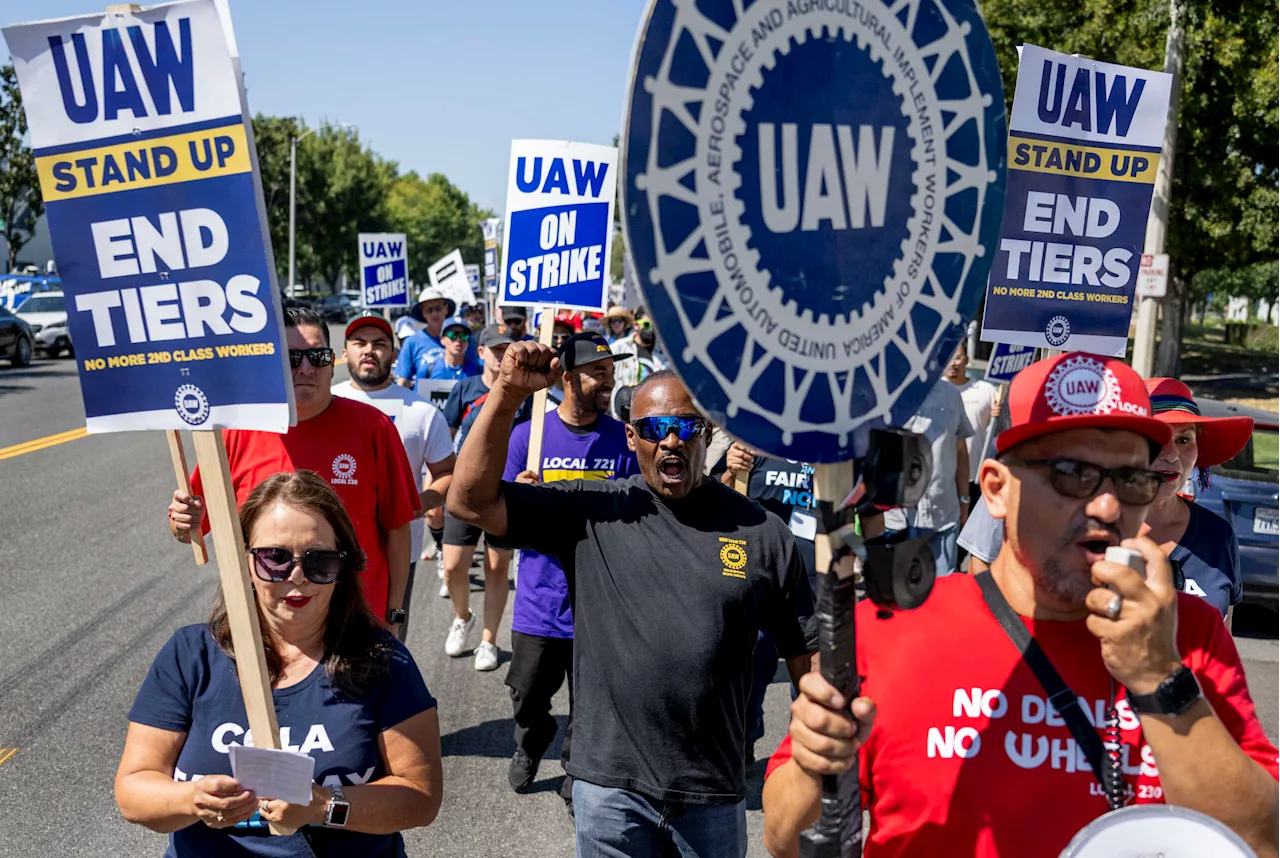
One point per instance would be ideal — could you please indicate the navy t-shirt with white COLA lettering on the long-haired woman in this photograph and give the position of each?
(193, 688)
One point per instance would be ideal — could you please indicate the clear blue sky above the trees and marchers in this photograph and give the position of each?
(440, 86)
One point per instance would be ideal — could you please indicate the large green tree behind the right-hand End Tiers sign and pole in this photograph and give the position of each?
(1226, 208)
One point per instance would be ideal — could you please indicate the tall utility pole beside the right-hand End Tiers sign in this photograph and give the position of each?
(1158, 222)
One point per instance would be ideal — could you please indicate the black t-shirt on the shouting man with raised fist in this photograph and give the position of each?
(669, 599)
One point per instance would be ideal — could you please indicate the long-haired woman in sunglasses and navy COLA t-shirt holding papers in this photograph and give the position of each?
(348, 695)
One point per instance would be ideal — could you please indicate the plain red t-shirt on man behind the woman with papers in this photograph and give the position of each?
(355, 448)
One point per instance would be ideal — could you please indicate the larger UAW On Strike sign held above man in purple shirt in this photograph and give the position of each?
(560, 225)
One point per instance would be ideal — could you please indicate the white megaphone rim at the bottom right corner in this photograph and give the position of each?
(1151, 830)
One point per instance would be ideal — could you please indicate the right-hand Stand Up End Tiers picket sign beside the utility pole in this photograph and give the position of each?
(1084, 150)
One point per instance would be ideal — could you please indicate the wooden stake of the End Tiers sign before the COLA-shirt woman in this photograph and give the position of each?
(237, 592)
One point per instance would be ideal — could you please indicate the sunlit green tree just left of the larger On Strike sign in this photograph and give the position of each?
(436, 218)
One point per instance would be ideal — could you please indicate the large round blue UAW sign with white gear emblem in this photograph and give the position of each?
(813, 191)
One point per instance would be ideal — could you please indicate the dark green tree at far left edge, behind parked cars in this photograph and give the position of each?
(21, 204)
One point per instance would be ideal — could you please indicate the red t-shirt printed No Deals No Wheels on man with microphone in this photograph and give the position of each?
(963, 760)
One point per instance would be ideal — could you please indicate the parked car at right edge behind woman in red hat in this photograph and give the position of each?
(1246, 491)
